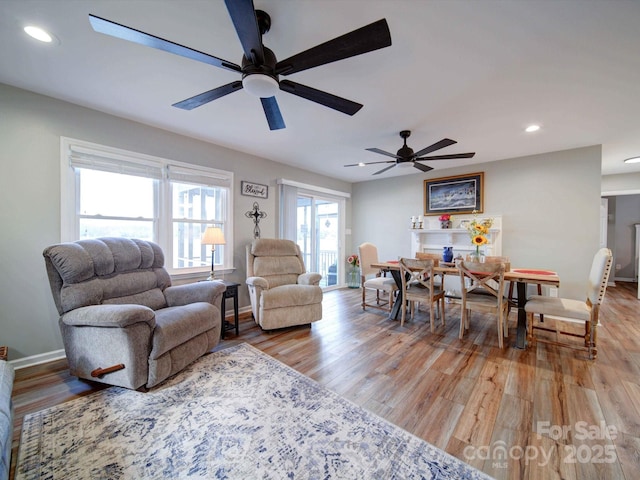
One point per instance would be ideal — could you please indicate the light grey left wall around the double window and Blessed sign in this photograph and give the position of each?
(30, 129)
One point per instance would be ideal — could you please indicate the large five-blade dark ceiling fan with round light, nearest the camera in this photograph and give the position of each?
(259, 68)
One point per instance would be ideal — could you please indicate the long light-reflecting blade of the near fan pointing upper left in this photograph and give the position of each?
(123, 32)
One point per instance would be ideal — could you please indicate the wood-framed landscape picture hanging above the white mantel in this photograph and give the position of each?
(458, 194)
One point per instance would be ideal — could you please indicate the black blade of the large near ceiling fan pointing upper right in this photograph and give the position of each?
(366, 39)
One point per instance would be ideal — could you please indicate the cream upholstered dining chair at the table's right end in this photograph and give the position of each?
(574, 311)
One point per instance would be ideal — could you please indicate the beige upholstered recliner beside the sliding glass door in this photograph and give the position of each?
(282, 293)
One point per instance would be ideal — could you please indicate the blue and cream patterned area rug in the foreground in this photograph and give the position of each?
(234, 414)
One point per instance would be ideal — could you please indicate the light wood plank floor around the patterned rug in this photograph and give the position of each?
(545, 412)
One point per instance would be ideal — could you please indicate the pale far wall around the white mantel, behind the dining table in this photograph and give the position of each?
(550, 207)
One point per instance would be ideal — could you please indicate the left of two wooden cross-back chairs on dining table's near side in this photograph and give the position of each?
(418, 286)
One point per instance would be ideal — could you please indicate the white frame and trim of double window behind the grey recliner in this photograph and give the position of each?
(69, 197)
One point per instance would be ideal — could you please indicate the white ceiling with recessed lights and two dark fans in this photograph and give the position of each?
(476, 71)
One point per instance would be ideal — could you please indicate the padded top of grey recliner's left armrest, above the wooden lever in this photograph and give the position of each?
(110, 316)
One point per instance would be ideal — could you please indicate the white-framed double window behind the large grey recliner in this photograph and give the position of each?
(111, 192)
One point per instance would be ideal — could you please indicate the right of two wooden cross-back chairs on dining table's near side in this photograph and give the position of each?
(482, 287)
